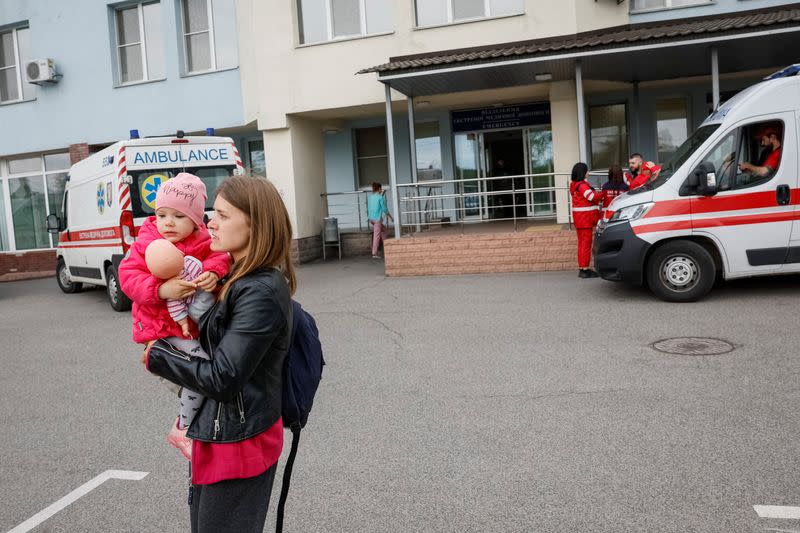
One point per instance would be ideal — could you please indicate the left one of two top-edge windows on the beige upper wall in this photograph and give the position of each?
(328, 20)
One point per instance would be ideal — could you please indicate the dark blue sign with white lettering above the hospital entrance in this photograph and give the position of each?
(499, 118)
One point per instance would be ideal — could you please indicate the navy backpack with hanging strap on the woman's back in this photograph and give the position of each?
(302, 373)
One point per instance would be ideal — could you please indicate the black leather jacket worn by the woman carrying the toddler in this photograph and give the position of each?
(247, 335)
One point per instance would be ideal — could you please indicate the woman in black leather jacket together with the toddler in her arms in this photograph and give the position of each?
(230, 363)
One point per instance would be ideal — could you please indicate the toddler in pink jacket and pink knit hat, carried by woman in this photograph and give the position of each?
(180, 208)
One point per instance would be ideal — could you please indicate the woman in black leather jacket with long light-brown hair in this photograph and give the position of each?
(237, 435)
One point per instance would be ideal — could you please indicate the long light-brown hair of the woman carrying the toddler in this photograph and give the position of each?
(270, 228)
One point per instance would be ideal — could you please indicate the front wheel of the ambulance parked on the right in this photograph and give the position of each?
(681, 271)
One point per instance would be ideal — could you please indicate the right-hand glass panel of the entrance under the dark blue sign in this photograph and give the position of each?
(539, 160)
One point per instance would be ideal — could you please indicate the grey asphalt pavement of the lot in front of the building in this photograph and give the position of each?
(517, 402)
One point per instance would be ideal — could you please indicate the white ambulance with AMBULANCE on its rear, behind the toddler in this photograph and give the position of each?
(110, 194)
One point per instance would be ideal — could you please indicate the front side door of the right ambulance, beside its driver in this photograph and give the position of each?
(751, 215)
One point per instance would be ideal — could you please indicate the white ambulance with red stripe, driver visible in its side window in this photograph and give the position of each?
(725, 206)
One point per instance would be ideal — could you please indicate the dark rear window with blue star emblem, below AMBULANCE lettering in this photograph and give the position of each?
(146, 183)
